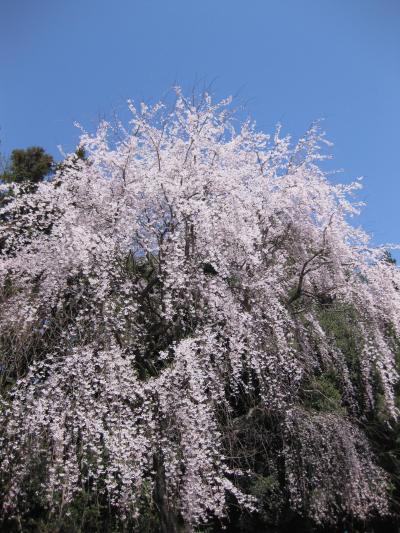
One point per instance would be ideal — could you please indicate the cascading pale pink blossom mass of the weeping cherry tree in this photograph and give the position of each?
(159, 292)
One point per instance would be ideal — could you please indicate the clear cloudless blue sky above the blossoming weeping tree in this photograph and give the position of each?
(292, 60)
